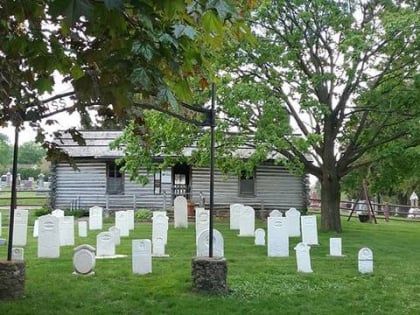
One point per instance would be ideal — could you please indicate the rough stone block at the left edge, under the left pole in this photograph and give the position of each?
(12, 279)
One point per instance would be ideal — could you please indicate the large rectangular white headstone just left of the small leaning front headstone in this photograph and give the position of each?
(278, 237)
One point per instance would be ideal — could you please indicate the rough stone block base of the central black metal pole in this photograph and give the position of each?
(210, 274)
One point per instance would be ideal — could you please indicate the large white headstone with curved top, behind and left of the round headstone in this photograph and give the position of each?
(48, 237)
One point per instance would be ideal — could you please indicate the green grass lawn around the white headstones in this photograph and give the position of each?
(258, 284)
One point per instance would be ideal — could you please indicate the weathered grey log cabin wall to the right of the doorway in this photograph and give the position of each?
(275, 188)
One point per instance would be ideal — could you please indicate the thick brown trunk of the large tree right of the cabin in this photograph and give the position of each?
(330, 200)
